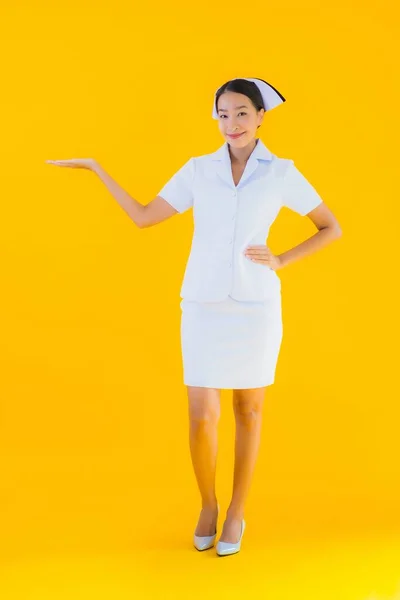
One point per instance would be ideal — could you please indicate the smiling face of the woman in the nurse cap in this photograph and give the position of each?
(237, 114)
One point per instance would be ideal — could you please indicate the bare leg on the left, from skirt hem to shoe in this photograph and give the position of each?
(204, 413)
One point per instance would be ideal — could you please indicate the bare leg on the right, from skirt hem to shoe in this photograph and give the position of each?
(247, 406)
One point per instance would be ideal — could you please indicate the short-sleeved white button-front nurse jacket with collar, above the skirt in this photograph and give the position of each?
(228, 218)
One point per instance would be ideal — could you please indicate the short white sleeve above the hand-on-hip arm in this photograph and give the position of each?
(298, 194)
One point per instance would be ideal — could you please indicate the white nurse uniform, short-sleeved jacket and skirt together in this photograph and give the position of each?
(231, 312)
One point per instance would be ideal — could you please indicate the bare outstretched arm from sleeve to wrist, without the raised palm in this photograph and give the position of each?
(155, 212)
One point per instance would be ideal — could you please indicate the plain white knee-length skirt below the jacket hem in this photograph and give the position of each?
(231, 344)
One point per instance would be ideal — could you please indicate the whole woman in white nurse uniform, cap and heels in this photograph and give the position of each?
(231, 325)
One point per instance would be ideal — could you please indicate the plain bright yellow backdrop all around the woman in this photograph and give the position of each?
(97, 494)
